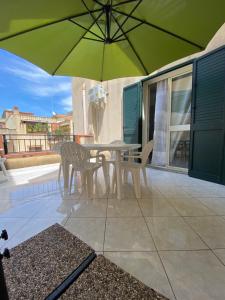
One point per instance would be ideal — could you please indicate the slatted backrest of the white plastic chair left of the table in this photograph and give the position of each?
(74, 154)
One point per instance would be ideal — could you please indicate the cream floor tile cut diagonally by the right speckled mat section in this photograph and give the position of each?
(145, 266)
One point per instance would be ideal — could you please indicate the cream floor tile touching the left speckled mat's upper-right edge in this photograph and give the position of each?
(89, 230)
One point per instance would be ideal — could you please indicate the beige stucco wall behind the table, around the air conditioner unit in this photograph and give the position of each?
(103, 122)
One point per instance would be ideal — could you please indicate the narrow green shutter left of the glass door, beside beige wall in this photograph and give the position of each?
(132, 114)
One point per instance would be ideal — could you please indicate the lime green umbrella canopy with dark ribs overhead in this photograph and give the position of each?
(106, 39)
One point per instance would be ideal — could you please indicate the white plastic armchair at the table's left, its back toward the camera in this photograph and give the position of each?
(79, 157)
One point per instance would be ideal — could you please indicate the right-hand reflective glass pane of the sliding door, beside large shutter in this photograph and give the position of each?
(179, 125)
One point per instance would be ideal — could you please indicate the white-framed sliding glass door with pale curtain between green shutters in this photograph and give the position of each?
(168, 105)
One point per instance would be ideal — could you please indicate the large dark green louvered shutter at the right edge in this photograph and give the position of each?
(207, 126)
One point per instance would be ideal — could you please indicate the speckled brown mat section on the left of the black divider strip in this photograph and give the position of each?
(40, 264)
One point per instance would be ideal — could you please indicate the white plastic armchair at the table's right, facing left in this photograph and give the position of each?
(135, 167)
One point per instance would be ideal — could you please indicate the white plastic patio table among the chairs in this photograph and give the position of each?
(117, 148)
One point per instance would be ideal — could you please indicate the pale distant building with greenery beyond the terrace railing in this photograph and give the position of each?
(26, 132)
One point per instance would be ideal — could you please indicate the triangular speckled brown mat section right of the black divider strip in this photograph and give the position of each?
(105, 280)
